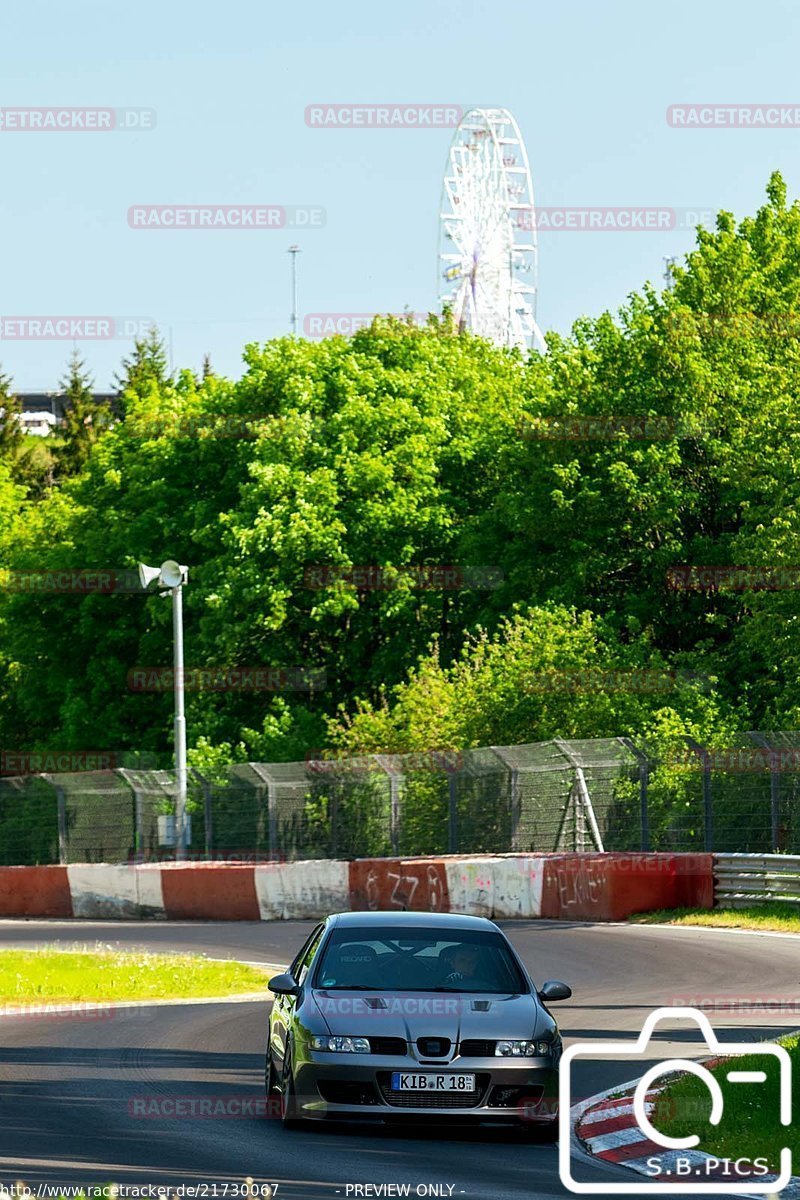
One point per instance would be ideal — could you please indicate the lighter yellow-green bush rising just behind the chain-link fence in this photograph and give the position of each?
(546, 673)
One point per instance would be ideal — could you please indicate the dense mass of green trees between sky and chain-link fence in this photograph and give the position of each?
(560, 493)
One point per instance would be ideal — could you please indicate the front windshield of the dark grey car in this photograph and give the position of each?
(419, 961)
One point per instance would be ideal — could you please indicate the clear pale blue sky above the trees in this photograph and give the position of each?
(590, 85)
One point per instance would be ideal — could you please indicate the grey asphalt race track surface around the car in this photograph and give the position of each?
(69, 1085)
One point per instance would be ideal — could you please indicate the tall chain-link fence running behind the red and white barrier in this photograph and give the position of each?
(609, 794)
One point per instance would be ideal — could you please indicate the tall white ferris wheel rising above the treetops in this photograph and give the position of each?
(488, 233)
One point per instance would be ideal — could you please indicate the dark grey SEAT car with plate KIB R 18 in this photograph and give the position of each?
(402, 1016)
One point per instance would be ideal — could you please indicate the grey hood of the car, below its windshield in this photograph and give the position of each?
(411, 1016)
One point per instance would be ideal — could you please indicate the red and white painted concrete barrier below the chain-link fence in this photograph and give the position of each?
(564, 887)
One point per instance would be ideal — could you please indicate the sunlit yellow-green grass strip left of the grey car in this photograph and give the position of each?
(57, 976)
